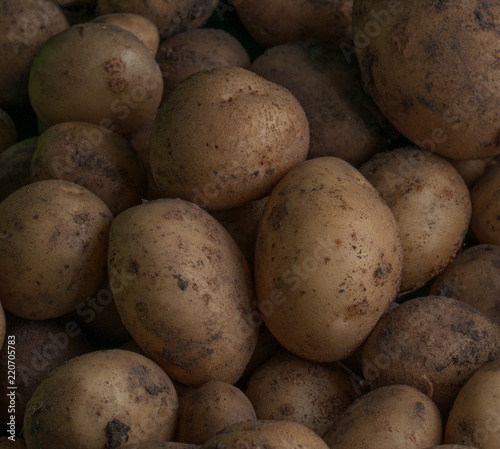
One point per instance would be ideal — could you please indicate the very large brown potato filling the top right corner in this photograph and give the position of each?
(431, 68)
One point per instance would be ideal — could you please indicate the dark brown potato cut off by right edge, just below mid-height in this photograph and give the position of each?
(473, 278)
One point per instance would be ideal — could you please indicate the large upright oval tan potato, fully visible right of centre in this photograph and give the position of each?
(328, 260)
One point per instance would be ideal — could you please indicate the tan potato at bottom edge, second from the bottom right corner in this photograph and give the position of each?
(393, 417)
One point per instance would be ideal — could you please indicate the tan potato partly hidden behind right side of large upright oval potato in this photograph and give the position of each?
(431, 204)
